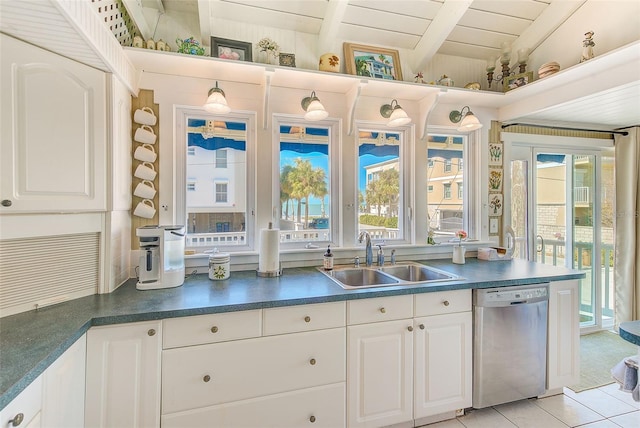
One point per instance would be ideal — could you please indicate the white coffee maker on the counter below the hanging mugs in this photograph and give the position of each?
(161, 257)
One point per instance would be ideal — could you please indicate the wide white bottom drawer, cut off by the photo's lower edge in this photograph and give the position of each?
(322, 406)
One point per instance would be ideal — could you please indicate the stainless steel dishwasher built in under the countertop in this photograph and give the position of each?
(509, 343)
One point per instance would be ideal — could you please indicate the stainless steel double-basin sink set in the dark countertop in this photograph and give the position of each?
(350, 277)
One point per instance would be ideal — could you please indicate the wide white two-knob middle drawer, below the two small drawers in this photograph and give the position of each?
(206, 375)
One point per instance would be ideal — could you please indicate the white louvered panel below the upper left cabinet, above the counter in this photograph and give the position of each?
(38, 271)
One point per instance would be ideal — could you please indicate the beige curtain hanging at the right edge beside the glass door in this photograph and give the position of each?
(627, 226)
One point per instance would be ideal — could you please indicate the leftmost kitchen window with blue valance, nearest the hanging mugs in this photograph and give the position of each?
(217, 153)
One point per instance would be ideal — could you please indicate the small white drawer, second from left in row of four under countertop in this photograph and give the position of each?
(292, 319)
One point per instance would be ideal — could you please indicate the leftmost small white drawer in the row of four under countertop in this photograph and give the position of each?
(201, 329)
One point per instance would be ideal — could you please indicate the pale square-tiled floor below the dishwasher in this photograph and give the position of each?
(604, 407)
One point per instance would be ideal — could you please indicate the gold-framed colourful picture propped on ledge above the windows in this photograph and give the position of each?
(371, 61)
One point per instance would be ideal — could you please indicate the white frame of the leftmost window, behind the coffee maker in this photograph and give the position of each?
(181, 114)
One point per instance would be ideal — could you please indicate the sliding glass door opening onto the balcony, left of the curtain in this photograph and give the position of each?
(561, 209)
